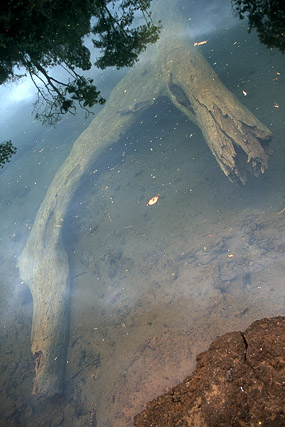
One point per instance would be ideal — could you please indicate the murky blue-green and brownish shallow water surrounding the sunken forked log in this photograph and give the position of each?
(151, 286)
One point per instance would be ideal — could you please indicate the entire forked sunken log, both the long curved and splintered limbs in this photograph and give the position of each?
(172, 67)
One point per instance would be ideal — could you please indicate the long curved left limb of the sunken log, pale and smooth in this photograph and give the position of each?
(43, 263)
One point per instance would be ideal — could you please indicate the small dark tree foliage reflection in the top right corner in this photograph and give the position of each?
(267, 16)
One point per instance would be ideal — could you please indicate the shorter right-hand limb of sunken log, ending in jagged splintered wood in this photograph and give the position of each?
(233, 134)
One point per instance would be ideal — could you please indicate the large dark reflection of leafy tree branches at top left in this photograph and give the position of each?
(36, 36)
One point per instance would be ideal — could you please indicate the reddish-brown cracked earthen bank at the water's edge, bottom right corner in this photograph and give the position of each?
(239, 381)
